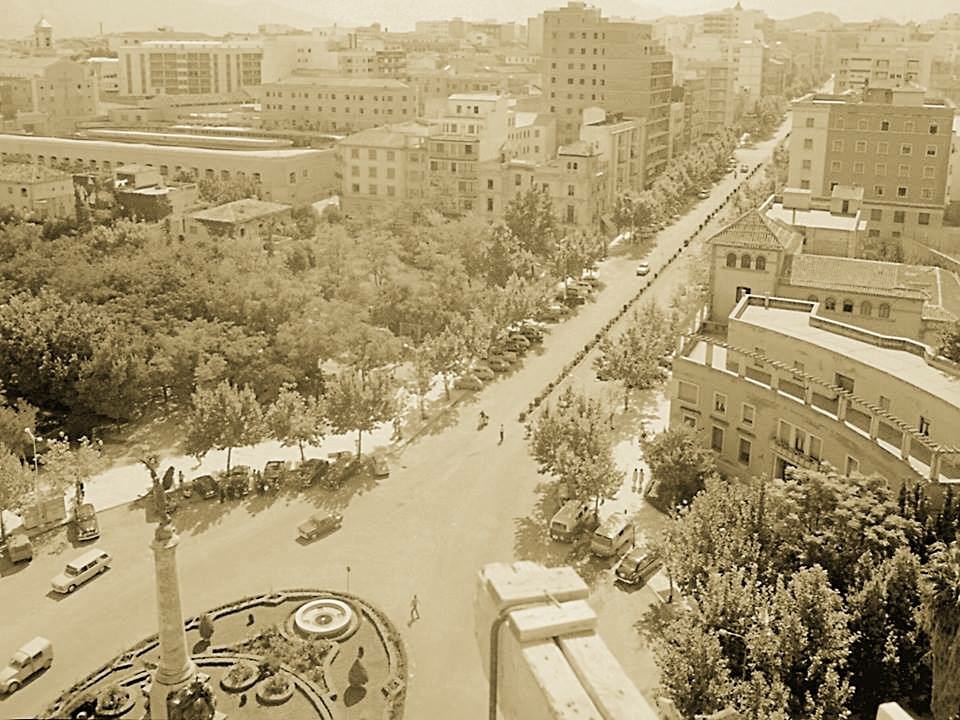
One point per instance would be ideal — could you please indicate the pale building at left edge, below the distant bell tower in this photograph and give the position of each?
(47, 94)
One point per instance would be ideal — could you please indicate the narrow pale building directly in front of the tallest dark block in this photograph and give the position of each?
(619, 141)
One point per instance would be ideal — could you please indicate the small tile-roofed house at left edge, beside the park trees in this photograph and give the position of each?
(37, 191)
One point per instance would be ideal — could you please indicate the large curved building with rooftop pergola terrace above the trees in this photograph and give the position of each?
(789, 387)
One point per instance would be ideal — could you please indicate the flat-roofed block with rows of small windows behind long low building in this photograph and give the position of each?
(335, 103)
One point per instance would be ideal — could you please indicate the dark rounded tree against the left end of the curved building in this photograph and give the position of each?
(679, 465)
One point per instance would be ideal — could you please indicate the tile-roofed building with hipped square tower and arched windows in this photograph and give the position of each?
(758, 255)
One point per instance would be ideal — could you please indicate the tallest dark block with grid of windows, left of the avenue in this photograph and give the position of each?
(588, 60)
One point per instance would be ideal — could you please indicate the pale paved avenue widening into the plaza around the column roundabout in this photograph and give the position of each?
(455, 500)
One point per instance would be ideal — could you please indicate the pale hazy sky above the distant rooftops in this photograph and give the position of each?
(84, 18)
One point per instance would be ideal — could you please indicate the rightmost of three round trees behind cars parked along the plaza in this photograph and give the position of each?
(360, 403)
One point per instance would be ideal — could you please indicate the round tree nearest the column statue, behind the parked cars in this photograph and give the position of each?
(222, 418)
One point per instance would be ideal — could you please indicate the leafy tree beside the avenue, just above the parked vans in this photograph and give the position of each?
(571, 440)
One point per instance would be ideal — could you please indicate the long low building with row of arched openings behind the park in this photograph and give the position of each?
(295, 175)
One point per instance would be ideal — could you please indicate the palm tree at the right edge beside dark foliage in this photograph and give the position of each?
(941, 611)
